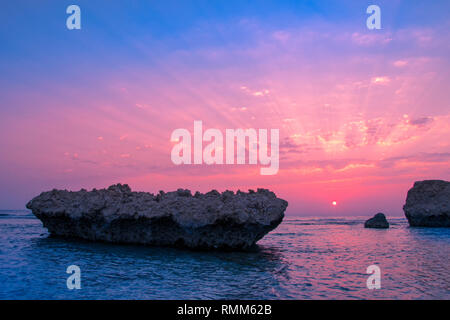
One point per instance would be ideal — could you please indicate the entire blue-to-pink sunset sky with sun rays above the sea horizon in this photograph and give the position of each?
(362, 114)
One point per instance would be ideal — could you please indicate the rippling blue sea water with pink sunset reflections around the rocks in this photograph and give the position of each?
(304, 258)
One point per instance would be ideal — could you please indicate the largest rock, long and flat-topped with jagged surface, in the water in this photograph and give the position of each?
(211, 220)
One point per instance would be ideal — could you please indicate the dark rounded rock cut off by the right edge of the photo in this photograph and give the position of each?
(428, 204)
